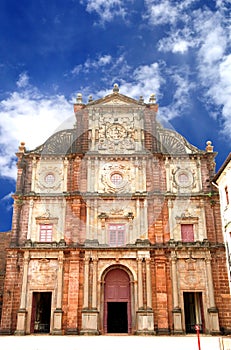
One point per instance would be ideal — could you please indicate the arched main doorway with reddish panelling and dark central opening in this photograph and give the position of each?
(117, 302)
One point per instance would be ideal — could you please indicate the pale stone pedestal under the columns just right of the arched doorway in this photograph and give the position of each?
(145, 322)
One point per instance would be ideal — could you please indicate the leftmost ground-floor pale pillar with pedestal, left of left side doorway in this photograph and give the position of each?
(22, 312)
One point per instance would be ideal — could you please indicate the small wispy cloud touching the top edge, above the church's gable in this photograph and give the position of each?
(106, 9)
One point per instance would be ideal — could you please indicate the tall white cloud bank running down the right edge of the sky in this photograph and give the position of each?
(214, 65)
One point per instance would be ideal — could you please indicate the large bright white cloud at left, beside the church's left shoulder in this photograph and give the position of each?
(31, 117)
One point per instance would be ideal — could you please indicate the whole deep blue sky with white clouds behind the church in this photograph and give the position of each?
(52, 50)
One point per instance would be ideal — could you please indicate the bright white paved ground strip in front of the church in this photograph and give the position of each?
(48, 342)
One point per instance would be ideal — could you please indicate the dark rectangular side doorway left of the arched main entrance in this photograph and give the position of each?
(41, 312)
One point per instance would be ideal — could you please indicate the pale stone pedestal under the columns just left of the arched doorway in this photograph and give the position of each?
(89, 322)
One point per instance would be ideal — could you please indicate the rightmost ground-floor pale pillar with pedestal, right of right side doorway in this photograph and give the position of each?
(212, 310)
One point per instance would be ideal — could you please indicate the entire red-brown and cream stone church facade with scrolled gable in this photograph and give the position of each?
(116, 229)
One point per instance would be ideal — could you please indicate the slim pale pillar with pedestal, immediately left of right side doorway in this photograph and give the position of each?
(177, 315)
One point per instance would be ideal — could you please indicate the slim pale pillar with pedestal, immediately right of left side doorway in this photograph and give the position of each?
(58, 313)
